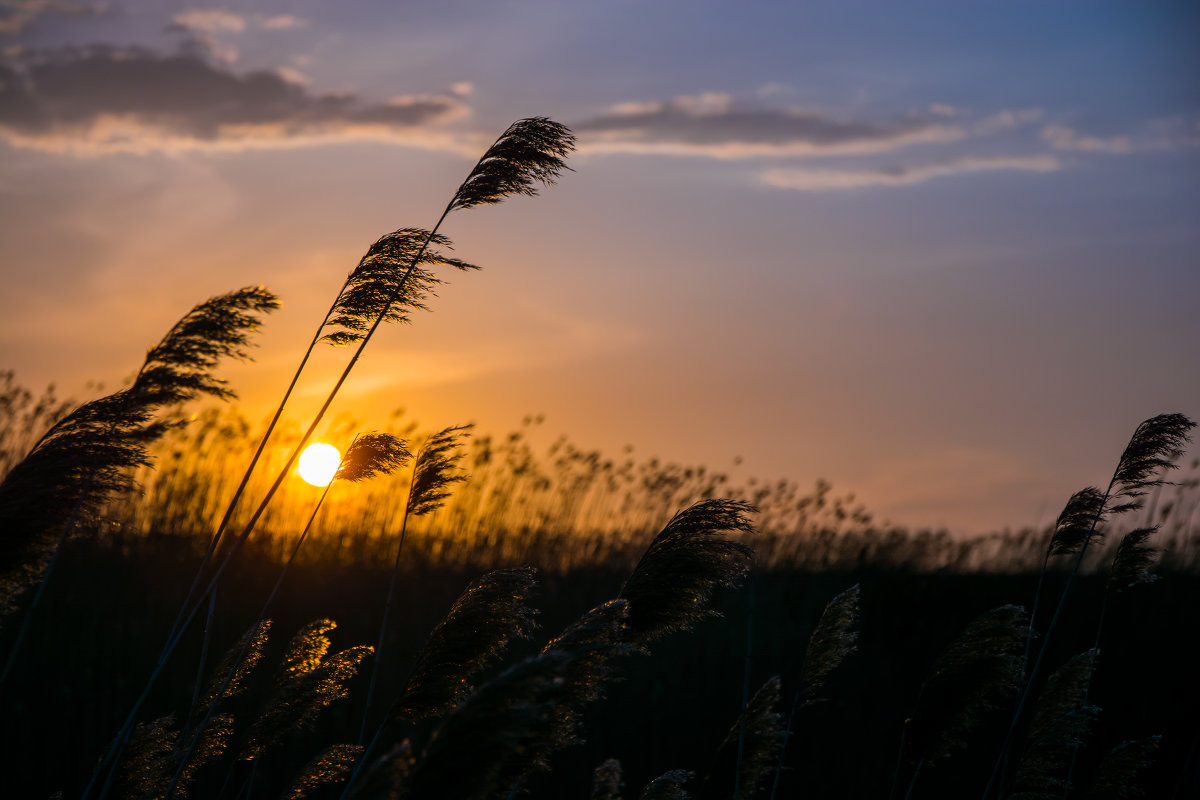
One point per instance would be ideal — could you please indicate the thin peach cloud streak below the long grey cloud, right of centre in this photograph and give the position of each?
(825, 181)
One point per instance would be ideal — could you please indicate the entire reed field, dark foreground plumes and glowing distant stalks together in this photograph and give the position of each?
(471, 615)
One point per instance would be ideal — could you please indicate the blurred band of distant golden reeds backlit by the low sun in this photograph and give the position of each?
(566, 507)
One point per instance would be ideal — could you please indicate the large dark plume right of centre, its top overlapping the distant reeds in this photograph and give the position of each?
(687, 562)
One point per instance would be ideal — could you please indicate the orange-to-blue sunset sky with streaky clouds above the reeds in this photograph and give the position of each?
(945, 256)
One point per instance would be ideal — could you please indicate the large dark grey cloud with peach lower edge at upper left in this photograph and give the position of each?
(106, 99)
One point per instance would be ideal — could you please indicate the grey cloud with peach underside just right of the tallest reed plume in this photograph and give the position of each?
(713, 125)
